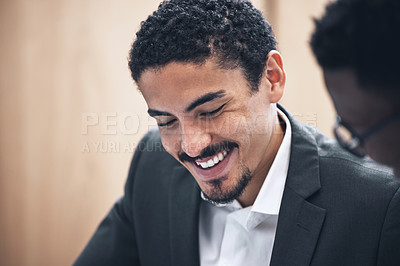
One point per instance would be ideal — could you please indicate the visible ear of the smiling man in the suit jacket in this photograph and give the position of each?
(276, 75)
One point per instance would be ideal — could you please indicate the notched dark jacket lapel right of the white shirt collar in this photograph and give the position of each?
(299, 222)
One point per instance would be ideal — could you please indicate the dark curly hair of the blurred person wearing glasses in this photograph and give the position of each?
(351, 31)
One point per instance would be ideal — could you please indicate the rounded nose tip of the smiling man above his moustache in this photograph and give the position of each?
(194, 140)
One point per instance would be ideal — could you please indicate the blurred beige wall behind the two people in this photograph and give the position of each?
(71, 116)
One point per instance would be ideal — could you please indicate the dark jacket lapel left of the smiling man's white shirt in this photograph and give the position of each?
(184, 203)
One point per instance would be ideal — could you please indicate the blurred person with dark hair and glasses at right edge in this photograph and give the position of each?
(356, 44)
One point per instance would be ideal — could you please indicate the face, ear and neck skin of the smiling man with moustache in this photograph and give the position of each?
(211, 122)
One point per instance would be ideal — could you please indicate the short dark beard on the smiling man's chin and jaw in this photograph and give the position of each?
(218, 196)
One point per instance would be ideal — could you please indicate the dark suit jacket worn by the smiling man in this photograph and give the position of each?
(336, 210)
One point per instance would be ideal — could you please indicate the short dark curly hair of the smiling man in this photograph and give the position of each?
(231, 31)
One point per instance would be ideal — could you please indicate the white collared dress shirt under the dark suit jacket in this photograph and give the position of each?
(234, 236)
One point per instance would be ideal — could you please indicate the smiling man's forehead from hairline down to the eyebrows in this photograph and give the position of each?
(184, 87)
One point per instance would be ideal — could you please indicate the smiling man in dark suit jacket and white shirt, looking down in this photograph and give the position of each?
(240, 181)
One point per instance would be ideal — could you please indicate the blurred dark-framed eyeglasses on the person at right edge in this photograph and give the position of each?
(352, 141)
